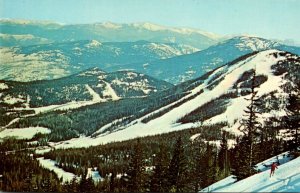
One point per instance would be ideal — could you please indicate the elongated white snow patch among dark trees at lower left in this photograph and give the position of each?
(51, 165)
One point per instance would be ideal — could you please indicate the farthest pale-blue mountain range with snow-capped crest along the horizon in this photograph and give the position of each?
(103, 32)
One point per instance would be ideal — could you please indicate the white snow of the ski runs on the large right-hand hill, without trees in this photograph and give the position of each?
(167, 122)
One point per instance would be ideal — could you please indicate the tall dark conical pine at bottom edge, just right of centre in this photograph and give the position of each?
(177, 168)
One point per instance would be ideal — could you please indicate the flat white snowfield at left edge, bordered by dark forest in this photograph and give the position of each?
(23, 133)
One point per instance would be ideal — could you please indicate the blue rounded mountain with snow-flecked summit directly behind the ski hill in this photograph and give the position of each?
(186, 67)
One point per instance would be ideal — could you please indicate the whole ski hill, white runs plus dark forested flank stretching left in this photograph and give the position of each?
(219, 97)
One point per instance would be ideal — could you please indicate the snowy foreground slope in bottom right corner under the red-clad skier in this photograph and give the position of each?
(286, 178)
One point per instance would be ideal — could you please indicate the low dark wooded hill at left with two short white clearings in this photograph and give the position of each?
(91, 85)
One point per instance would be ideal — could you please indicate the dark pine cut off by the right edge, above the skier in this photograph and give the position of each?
(292, 118)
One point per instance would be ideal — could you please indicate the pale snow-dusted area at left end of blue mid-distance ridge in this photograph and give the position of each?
(24, 67)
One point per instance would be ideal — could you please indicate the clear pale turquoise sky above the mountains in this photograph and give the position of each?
(274, 19)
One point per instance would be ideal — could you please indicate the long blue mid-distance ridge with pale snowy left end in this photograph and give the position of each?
(50, 61)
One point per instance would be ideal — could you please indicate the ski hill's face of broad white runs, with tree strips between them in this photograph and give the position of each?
(226, 85)
